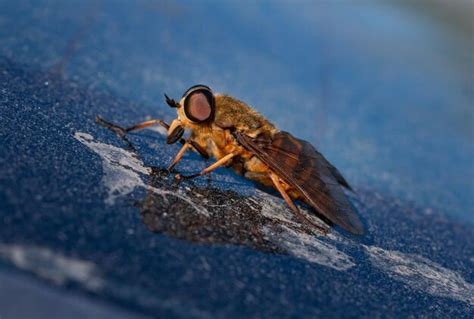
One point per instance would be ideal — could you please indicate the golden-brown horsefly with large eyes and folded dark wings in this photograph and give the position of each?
(239, 137)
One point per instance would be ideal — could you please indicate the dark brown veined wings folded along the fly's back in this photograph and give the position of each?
(299, 164)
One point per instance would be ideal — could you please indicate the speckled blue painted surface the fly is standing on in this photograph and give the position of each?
(383, 91)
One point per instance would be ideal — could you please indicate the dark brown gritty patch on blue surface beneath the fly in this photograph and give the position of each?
(211, 215)
